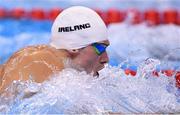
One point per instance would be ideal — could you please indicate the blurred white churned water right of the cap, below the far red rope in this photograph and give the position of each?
(139, 42)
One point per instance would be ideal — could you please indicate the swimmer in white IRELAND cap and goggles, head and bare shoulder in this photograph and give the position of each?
(78, 40)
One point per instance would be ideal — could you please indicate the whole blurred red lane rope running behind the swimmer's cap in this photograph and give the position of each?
(151, 16)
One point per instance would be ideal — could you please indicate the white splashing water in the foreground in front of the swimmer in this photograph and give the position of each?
(70, 91)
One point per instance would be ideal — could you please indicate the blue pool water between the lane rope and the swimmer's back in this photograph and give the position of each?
(16, 34)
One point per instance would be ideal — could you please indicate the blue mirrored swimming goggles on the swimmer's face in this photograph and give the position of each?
(99, 48)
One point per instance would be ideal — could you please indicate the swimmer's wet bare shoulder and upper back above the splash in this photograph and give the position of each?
(39, 62)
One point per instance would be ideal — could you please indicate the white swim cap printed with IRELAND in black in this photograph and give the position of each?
(77, 27)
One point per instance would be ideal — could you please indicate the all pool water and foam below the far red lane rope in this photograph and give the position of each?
(138, 47)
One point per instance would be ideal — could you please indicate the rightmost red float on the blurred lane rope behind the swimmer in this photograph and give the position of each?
(170, 16)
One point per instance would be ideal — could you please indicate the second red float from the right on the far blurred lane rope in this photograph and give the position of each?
(152, 17)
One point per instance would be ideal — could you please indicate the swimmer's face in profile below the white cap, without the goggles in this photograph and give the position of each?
(90, 61)
